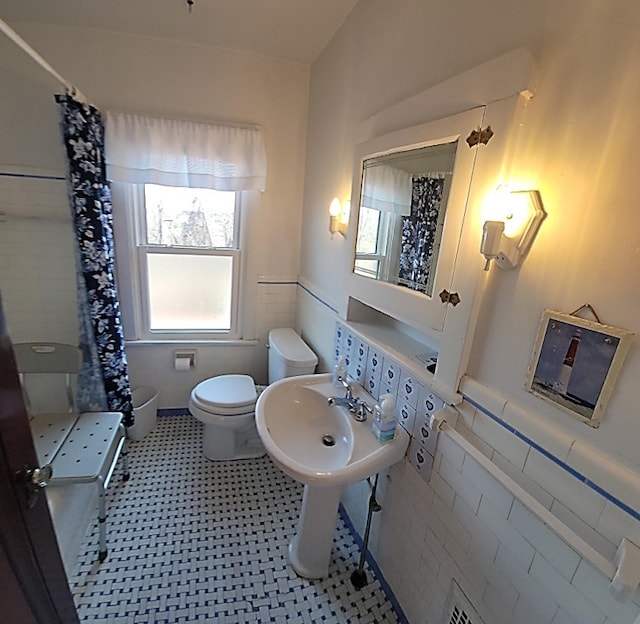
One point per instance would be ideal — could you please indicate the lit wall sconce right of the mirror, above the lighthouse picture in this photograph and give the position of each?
(508, 236)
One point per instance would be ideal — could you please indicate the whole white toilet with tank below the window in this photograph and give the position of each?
(226, 404)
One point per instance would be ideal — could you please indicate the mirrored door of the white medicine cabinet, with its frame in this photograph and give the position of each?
(410, 191)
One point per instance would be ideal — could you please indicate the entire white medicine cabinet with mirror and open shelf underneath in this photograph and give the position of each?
(415, 273)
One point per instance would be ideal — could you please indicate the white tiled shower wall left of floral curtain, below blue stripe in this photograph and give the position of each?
(37, 264)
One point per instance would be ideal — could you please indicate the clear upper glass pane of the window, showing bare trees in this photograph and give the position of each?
(189, 217)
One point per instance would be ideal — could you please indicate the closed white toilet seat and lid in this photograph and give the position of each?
(226, 395)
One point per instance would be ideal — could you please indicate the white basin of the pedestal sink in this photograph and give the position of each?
(317, 444)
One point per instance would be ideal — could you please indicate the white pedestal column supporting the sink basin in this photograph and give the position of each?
(310, 549)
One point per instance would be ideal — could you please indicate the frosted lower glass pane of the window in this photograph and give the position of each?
(189, 292)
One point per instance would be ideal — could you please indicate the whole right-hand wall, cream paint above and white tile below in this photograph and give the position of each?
(575, 145)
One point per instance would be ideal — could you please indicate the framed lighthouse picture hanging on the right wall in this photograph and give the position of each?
(575, 364)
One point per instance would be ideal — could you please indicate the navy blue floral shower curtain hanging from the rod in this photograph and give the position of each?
(103, 383)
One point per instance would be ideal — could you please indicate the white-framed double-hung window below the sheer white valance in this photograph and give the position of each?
(180, 272)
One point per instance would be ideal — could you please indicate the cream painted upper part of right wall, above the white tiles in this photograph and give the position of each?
(574, 146)
